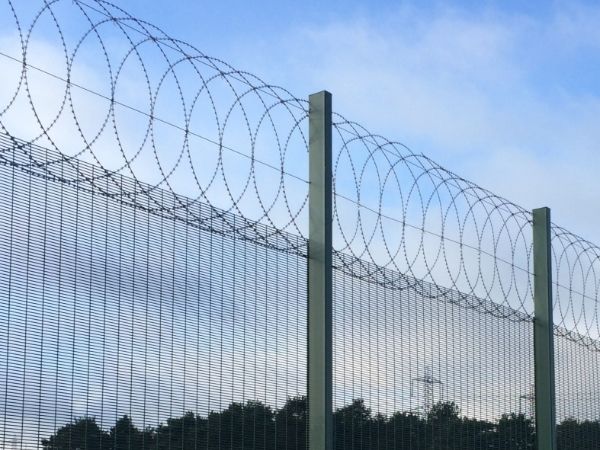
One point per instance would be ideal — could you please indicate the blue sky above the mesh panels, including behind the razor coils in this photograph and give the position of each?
(499, 93)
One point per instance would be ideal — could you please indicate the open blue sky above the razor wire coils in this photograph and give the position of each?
(504, 94)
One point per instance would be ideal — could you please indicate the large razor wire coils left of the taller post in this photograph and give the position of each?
(121, 94)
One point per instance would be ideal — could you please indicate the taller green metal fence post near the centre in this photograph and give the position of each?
(320, 354)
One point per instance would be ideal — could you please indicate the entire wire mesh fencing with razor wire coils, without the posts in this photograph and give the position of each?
(153, 278)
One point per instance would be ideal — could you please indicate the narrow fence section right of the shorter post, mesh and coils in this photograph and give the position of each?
(577, 345)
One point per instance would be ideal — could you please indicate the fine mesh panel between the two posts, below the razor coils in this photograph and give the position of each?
(418, 370)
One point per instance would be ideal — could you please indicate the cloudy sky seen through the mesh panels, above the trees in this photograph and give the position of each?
(105, 322)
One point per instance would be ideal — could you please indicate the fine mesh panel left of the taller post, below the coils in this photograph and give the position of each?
(128, 324)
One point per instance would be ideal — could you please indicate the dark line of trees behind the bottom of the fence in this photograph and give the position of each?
(254, 425)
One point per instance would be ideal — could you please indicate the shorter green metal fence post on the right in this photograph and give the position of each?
(545, 415)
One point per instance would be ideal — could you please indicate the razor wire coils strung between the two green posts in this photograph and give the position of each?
(403, 211)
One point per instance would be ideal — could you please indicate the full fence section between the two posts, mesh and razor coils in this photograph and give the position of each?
(433, 308)
